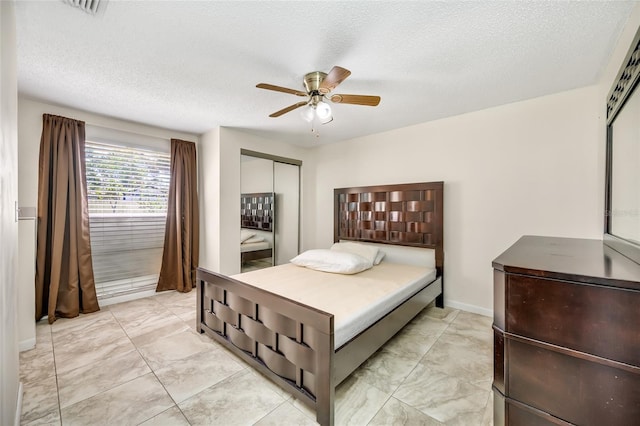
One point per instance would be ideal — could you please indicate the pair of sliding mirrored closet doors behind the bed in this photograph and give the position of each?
(269, 210)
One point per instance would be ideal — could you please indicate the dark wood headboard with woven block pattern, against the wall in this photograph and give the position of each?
(405, 214)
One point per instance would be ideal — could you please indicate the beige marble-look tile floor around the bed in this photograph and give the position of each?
(142, 362)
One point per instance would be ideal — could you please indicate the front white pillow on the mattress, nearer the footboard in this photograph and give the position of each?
(333, 261)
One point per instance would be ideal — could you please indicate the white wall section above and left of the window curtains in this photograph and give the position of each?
(30, 130)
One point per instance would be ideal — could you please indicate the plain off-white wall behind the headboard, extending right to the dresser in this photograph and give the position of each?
(523, 168)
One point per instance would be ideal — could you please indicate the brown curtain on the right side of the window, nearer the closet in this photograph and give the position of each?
(180, 254)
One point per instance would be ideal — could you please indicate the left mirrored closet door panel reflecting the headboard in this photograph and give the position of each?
(256, 213)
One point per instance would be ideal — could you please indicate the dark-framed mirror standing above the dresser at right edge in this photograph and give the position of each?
(622, 223)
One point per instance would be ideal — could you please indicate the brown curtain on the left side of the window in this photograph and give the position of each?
(64, 272)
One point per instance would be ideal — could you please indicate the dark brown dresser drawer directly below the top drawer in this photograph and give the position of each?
(576, 390)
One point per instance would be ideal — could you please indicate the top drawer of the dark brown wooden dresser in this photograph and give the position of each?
(598, 320)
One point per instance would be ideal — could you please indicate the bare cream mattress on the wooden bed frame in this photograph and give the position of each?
(356, 301)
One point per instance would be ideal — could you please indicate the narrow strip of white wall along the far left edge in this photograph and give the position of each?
(10, 390)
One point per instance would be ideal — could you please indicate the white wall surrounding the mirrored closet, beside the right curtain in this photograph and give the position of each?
(220, 178)
